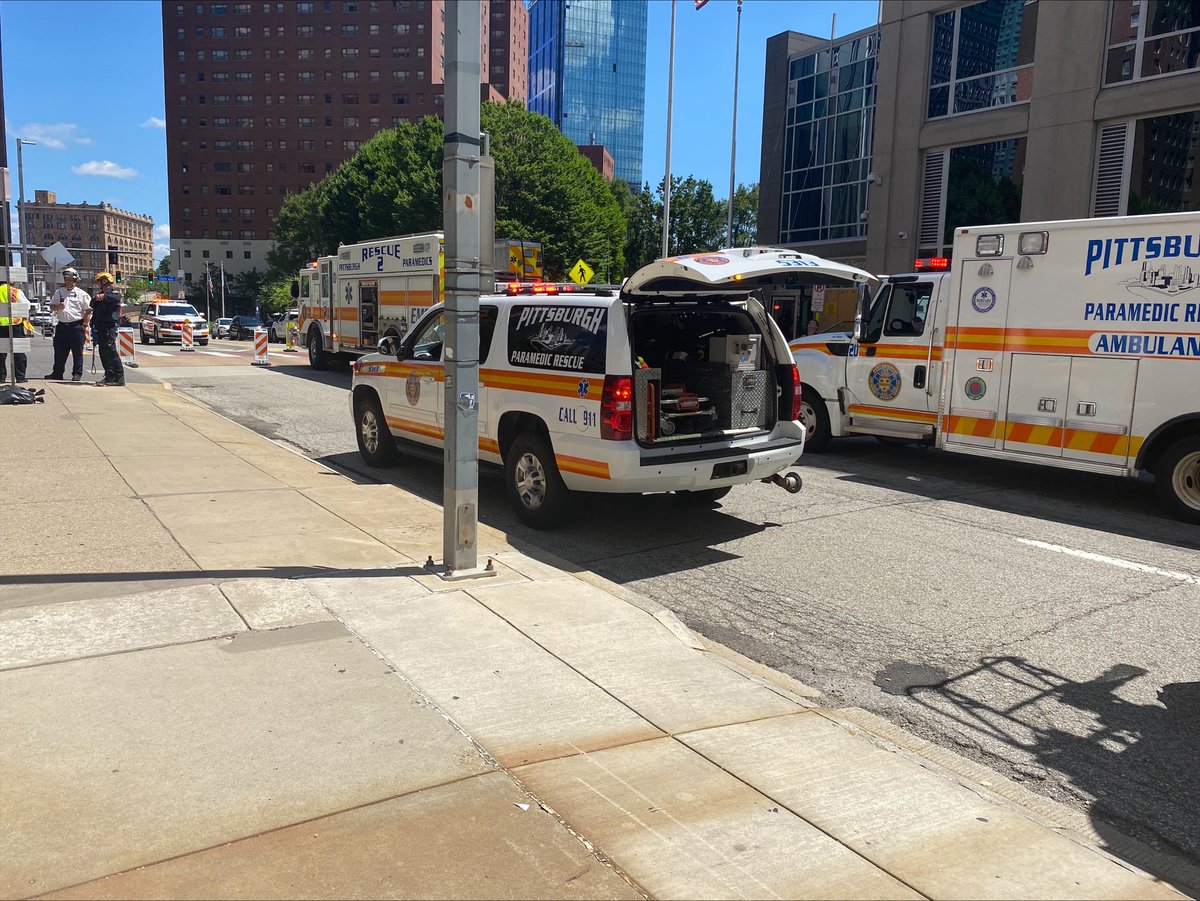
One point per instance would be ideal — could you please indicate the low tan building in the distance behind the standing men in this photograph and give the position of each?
(89, 232)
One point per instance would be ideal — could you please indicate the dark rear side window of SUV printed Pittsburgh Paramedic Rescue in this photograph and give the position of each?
(559, 338)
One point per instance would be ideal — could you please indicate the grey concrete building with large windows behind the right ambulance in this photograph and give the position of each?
(985, 112)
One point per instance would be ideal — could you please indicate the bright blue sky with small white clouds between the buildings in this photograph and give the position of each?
(98, 115)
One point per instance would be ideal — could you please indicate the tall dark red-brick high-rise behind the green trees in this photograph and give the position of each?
(266, 99)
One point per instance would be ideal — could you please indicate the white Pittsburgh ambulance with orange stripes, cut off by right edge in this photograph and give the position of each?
(1073, 345)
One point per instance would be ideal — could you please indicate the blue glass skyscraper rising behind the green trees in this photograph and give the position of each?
(587, 74)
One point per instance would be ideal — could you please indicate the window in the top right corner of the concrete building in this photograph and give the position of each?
(1166, 41)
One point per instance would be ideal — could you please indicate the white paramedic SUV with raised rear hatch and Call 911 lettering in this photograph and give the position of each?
(683, 383)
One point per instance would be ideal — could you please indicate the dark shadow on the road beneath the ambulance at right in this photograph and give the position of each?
(1123, 507)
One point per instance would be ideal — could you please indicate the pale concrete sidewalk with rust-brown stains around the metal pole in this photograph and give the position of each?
(224, 675)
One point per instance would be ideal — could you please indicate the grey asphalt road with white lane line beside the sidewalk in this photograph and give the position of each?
(1042, 622)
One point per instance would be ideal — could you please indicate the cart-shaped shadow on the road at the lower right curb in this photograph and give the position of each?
(1135, 764)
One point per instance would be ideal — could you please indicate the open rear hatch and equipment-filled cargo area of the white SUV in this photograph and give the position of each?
(709, 363)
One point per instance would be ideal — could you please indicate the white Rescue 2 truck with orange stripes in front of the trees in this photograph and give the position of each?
(350, 302)
